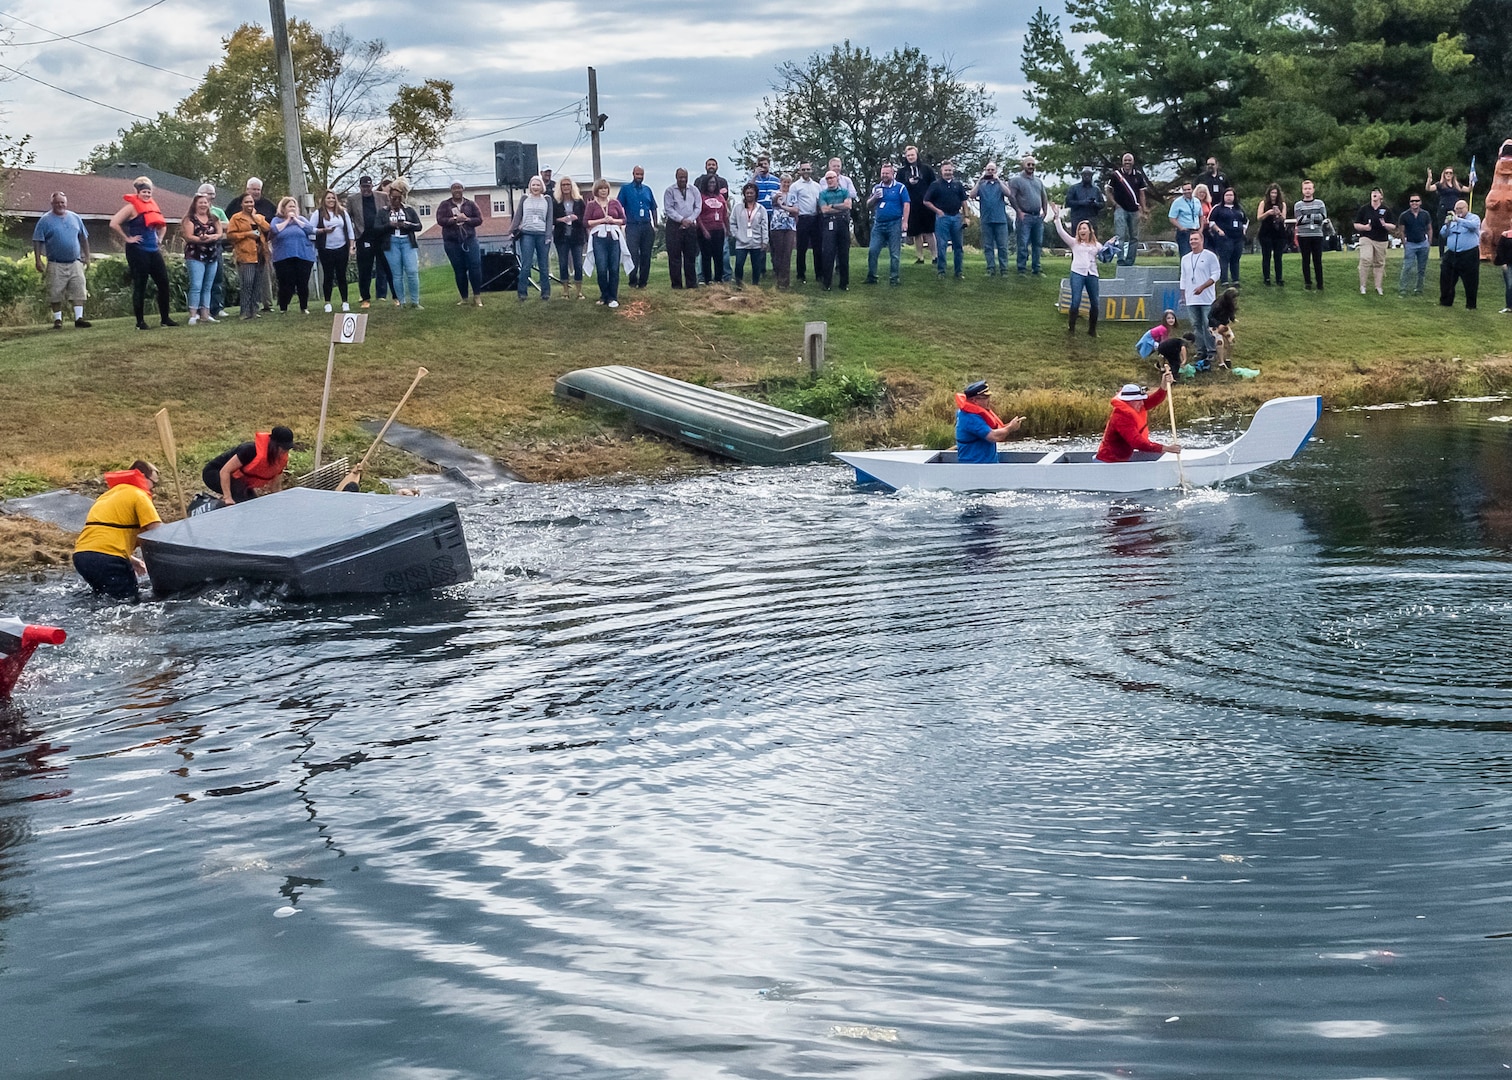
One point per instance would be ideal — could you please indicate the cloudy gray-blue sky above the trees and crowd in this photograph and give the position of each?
(680, 82)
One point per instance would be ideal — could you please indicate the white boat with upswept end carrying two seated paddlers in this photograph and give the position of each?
(1280, 430)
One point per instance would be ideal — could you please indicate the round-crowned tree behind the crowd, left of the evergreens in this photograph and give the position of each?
(866, 110)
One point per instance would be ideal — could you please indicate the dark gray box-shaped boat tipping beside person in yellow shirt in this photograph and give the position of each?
(315, 544)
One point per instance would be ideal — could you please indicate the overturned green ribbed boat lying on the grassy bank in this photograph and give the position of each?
(713, 421)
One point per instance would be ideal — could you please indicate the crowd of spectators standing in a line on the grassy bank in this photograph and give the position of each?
(792, 226)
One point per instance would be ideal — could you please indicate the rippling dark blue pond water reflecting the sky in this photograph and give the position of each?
(764, 775)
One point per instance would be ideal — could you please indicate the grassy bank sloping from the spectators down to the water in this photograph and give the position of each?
(84, 400)
